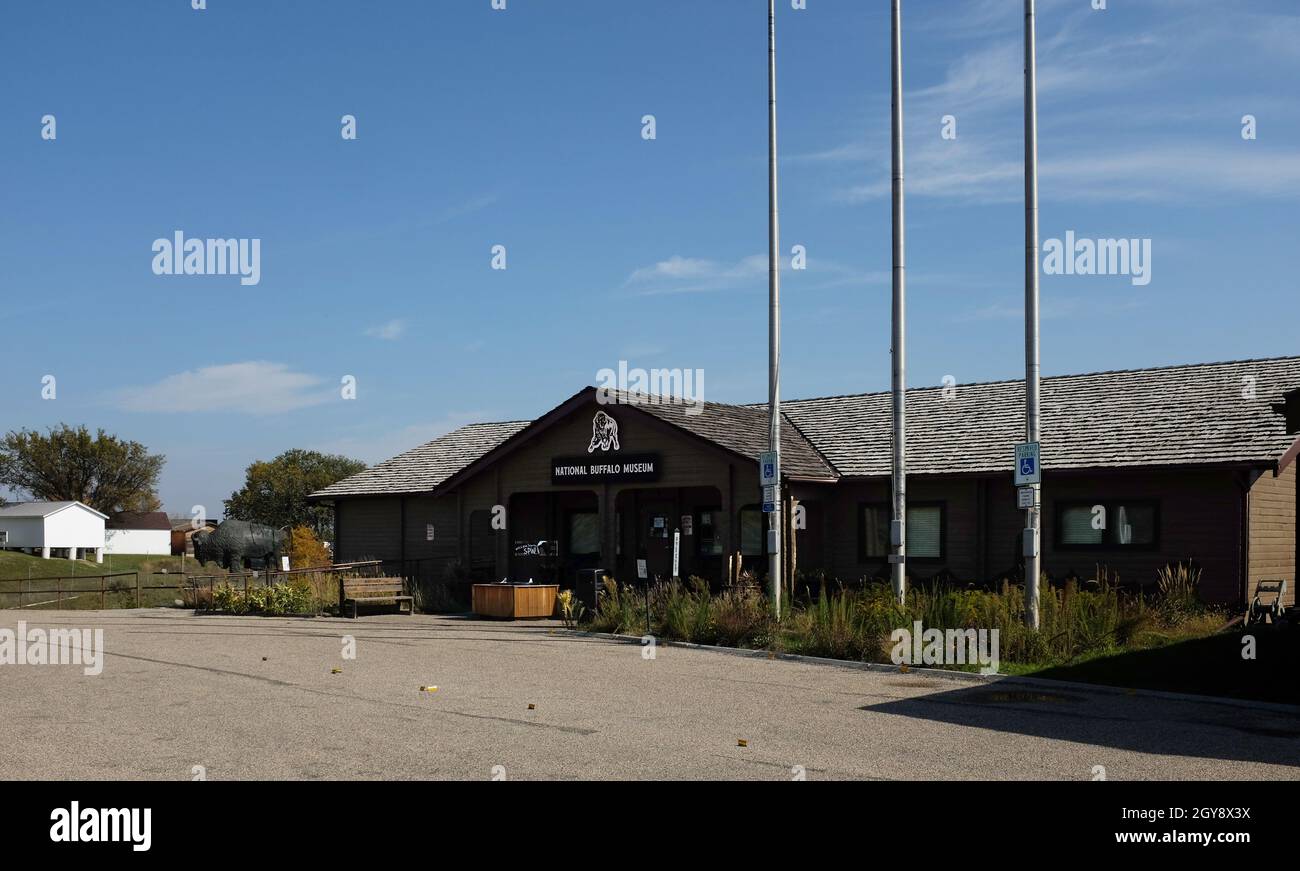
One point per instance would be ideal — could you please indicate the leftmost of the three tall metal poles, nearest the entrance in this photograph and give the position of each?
(774, 319)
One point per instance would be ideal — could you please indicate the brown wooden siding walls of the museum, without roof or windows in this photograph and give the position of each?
(1201, 514)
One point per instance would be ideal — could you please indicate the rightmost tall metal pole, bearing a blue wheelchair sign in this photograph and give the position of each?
(1033, 535)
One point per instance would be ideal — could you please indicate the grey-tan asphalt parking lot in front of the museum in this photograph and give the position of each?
(224, 697)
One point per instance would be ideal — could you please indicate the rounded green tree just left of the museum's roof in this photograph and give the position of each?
(275, 493)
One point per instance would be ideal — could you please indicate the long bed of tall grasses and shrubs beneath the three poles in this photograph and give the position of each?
(857, 623)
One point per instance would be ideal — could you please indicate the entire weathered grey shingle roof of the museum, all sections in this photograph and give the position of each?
(1184, 415)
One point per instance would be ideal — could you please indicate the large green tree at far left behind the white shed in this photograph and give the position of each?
(103, 471)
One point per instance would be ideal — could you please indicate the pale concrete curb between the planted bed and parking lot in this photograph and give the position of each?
(961, 677)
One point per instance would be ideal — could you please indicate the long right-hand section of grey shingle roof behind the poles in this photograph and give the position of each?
(1171, 415)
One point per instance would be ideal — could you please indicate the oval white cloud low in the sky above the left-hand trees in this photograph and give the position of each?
(254, 388)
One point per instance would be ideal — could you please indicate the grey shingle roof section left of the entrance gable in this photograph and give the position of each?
(426, 467)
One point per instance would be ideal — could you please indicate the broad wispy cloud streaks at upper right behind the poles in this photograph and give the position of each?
(1090, 76)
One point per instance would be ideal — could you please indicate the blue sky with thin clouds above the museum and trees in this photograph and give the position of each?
(523, 128)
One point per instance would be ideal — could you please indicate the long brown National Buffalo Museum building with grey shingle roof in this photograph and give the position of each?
(1141, 469)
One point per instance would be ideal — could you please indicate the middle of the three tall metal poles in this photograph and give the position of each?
(899, 344)
